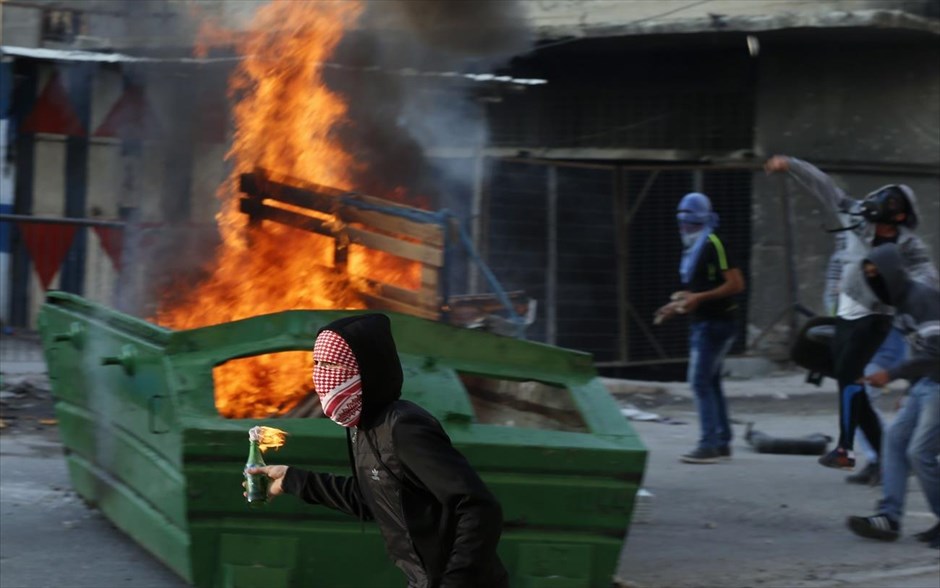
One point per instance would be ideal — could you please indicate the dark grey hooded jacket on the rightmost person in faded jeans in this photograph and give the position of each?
(918, 313)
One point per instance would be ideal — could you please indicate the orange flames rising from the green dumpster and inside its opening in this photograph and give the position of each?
(284, 118)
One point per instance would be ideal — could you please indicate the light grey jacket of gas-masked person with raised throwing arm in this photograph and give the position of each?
(844, 271)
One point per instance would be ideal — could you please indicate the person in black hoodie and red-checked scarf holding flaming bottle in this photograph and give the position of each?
(440, 523)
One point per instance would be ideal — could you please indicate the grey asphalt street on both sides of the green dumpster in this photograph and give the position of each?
(758, 520)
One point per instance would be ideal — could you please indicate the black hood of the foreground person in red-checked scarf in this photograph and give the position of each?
(370, 338)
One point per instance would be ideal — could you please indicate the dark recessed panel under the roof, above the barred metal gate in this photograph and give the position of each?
(700, 101)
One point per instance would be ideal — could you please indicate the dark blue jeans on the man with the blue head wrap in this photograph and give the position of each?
(709, 343)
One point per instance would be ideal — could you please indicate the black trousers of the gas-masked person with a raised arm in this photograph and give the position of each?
(854, 344)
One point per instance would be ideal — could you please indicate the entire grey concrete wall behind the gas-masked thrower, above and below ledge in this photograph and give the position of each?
(868, 113)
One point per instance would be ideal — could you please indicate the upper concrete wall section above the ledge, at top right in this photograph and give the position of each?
(856, 101)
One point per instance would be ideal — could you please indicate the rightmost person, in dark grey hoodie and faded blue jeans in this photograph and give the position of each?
(912, 442)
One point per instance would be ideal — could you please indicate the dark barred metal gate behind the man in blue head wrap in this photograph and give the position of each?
(598, 247)
